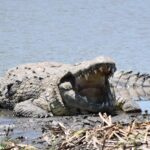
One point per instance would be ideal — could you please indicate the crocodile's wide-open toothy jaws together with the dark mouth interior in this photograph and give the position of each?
(90, 89)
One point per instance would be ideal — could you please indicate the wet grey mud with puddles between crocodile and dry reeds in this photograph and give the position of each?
(31, 130)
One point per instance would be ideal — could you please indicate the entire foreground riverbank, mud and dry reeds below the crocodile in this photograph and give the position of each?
(75, 132)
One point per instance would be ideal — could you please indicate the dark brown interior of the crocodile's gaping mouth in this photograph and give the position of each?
(93, 85)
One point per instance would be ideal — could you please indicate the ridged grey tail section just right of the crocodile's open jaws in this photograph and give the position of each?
(130, 79)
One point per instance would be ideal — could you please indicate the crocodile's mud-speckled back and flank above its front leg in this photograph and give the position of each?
(29, 81)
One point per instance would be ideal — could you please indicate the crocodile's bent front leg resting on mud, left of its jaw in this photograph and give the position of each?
(48, 104)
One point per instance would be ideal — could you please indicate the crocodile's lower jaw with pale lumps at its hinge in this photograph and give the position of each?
(74, 100)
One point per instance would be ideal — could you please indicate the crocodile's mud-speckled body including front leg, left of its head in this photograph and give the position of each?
(32, 83)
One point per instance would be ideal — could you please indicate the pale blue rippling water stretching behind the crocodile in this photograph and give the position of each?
(73, 30)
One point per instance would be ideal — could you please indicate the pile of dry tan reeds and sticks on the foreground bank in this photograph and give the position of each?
(106, 136)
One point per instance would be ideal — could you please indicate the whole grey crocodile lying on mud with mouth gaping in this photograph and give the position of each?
(50, 88)
